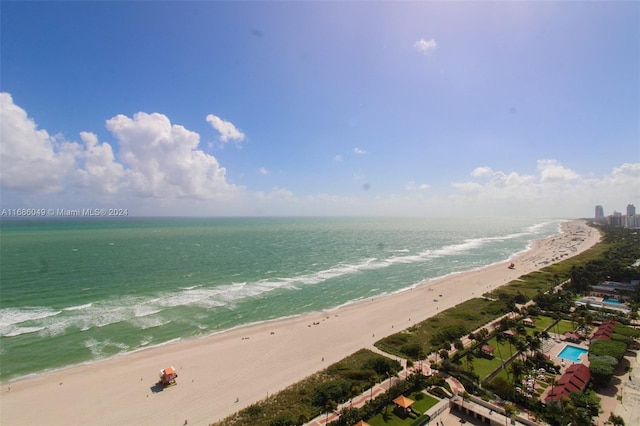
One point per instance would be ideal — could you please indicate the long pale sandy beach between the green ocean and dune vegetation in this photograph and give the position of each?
(223, 373)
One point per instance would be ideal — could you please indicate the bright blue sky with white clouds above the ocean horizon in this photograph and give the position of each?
(321, 108)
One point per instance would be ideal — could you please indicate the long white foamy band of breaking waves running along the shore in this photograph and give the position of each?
(149, 311)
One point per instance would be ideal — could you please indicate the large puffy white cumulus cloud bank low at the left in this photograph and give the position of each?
(150, 158)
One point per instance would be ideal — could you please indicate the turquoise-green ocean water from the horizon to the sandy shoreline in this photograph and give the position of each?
(75, 291)
